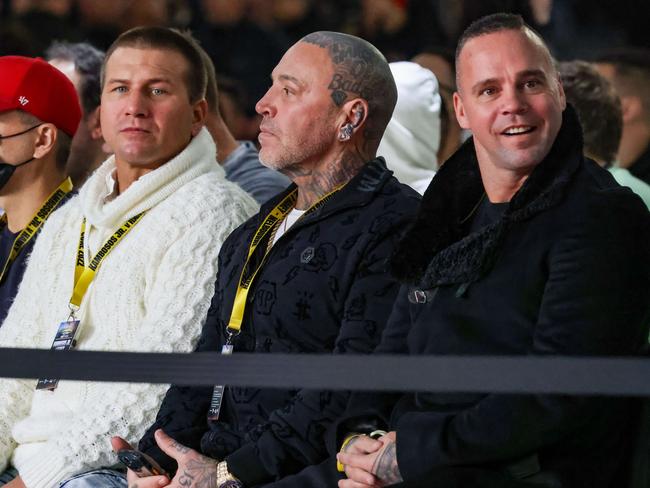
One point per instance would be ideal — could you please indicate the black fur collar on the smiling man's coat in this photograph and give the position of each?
(435, 252)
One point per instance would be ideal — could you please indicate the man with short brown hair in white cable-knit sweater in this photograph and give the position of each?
(152, 290)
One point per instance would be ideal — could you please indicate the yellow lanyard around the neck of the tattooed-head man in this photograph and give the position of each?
(274, 217)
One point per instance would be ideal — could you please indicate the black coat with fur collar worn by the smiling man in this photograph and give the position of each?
(564, 271)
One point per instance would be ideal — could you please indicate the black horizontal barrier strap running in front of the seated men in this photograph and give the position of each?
(483, 374)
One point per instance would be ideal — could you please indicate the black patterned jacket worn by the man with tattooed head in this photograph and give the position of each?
(324, 288)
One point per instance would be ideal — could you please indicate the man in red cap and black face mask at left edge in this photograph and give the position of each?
(39, 115)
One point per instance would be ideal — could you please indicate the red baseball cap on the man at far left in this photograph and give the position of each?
(34, 86)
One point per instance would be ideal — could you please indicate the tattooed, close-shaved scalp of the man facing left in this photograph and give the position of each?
(360, 70)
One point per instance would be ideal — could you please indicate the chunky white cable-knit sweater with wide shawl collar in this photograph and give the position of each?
(152, 293)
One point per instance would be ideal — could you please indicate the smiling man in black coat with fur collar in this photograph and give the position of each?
(521, 246)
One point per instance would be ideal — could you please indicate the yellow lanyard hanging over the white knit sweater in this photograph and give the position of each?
(83, 275)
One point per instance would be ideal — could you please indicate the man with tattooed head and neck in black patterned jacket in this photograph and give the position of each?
(306, 275)
